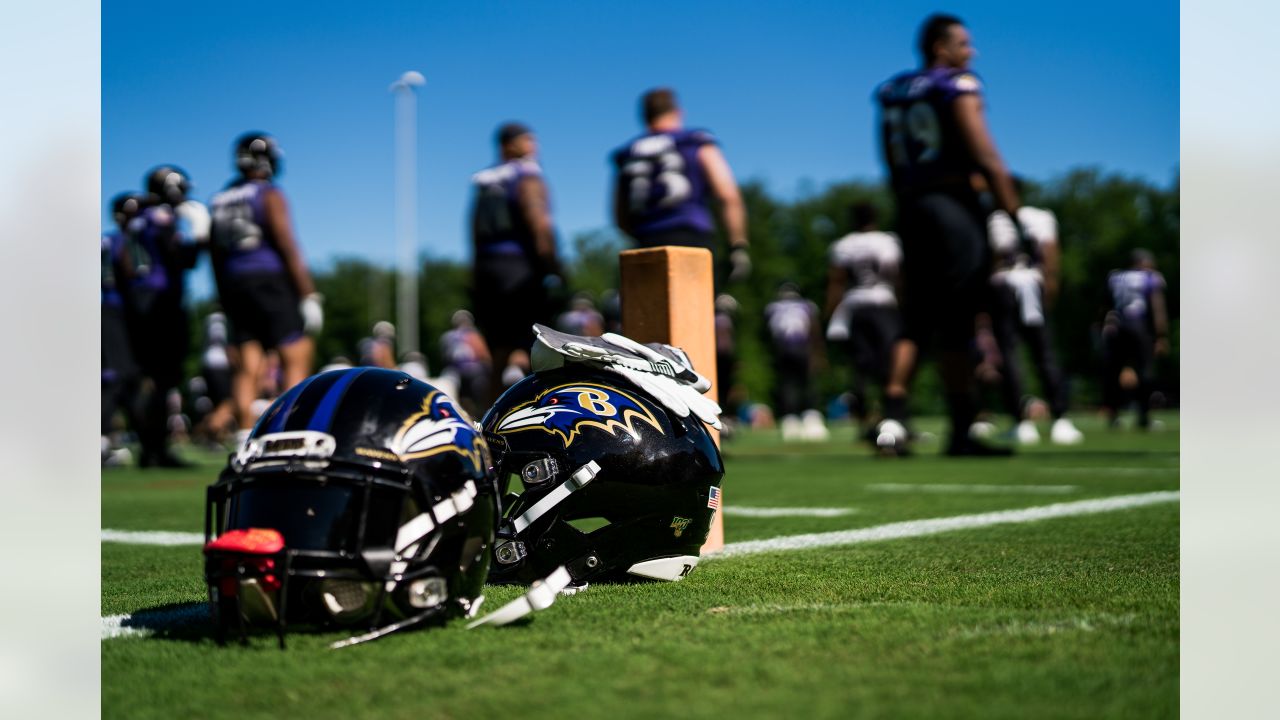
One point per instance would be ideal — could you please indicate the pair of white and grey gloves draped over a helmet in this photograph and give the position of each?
(660, 370)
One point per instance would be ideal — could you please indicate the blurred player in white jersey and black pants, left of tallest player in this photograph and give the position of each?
(862, 304)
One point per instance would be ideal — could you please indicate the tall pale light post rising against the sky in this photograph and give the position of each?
(406, 208)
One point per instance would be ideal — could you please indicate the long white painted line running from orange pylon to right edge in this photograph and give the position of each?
(921, 528)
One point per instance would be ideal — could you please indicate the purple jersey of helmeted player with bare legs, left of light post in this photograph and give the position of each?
(243, 241)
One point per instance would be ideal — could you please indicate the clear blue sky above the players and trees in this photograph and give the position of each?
(785, 85)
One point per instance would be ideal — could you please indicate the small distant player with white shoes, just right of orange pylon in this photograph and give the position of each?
(798, 352)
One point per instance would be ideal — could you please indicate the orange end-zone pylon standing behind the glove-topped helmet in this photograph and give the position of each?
(669, 295)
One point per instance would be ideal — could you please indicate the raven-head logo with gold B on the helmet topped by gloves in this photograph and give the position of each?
(566, 411)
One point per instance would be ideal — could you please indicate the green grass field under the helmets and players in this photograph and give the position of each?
(1063, 618)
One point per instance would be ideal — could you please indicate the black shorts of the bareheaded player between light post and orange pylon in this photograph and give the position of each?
(509, 298)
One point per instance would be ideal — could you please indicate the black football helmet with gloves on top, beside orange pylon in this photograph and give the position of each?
(614, 485)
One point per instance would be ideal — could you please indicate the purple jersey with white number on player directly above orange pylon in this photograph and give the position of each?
(664, 183)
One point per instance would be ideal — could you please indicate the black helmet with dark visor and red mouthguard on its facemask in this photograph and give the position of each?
(363, 499)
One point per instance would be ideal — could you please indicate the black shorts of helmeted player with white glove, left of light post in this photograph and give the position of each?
(262, 308)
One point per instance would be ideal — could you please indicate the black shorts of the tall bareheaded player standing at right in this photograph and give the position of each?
(947, 266)
